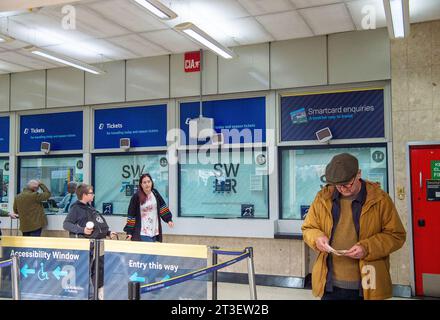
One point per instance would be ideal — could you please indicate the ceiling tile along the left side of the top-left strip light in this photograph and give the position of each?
(127, 14)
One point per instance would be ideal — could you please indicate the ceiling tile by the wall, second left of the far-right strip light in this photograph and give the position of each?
(328, 19)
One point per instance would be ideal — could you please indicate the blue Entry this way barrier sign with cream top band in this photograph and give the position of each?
(150, 263)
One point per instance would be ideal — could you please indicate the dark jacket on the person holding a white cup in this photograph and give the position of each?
(79, 215)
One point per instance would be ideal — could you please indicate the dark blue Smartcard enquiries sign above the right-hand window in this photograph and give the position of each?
(349, 115)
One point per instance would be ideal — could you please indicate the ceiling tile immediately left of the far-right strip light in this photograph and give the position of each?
(362, 10)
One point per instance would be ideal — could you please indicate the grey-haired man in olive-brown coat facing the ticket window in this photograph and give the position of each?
(29, 209)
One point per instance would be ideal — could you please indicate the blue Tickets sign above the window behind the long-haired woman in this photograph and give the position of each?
(145, 126)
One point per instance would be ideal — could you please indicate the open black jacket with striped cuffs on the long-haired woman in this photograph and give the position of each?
(134, 221)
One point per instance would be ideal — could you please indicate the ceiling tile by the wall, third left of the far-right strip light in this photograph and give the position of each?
(287, 25)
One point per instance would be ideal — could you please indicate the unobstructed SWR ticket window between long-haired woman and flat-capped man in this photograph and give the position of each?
(223, 184)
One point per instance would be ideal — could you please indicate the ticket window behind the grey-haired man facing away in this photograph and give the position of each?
(55, 172)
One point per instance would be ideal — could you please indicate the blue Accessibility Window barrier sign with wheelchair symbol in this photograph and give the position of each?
(51, 272)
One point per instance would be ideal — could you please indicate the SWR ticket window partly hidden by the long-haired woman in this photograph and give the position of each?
(116, 179)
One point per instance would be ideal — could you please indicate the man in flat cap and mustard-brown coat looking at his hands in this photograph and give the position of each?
(354, 226)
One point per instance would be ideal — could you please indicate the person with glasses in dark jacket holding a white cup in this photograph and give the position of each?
(77, 222)
